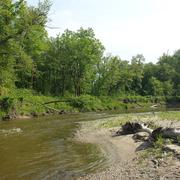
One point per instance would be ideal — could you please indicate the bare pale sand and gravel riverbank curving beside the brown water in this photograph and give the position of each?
(125, 156)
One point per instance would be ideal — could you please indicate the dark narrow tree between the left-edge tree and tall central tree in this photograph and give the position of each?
(54, 69)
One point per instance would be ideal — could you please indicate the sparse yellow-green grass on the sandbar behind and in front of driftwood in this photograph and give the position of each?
(157, 148)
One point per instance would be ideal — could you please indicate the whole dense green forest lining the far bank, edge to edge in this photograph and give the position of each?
(74, 62)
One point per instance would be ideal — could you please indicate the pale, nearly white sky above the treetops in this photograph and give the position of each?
(125, 27)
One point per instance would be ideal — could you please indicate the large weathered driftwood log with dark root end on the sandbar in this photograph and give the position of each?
(134, 127)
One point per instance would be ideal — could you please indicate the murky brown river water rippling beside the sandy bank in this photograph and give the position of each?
(44, 148)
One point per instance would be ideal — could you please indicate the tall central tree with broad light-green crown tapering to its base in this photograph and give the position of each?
(82, 54)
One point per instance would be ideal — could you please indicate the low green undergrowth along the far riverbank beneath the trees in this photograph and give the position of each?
(28, 101)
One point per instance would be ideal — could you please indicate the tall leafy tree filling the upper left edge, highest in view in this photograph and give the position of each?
(22, 34)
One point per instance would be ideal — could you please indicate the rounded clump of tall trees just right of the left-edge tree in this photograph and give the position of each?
(71, 62)
